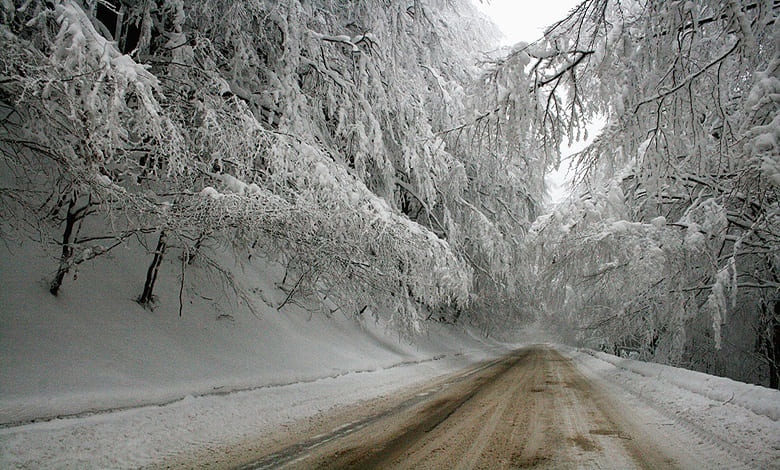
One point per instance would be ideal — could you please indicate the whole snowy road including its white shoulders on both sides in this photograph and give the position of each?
(539, 407)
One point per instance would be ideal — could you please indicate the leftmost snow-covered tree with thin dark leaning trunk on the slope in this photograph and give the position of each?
(75, 110)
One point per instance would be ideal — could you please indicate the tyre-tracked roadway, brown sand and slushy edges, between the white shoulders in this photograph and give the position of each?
(530, 409)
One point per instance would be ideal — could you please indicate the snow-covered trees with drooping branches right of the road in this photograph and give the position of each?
(690, 153)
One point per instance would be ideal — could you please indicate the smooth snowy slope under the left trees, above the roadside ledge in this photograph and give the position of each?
(94, 348)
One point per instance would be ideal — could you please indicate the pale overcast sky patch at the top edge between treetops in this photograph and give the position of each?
(525, 20)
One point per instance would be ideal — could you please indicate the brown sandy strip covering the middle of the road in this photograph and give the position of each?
(537, 413)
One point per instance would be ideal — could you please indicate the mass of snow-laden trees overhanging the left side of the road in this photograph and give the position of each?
(323, 132)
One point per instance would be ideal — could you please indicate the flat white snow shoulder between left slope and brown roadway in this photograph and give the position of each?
(149, 435)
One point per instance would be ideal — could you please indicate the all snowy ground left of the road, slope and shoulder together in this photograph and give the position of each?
(89, 379)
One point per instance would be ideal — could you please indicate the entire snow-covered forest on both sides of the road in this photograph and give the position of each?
(392, 159)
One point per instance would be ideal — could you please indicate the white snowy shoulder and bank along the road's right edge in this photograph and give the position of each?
(738, 418)
